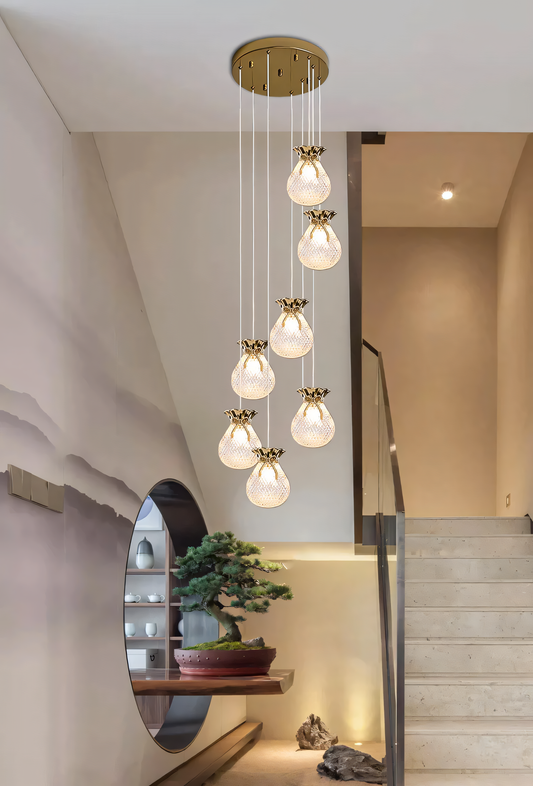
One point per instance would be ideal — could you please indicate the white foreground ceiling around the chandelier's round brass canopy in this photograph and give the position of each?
(396, 65)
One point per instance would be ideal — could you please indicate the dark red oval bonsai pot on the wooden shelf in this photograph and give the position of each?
(224, 663)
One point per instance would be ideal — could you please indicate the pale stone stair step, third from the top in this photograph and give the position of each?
(457, 569)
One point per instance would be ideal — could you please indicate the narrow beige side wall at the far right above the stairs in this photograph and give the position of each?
(515, 343)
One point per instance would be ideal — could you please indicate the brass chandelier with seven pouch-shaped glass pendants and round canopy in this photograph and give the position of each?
(295, 69)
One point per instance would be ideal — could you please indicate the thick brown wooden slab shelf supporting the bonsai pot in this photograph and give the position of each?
(170, 682)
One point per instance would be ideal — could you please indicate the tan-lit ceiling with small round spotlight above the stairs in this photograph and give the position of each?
(402, 179)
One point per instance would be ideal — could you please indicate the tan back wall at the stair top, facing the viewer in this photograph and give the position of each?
(429, 304)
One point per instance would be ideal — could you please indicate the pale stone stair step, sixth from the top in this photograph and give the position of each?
(468, 656)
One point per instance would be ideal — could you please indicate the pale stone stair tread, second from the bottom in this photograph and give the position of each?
(462, 726)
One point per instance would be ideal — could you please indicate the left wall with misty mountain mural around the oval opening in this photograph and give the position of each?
(83, 400)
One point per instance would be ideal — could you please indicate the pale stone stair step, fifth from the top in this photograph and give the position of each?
(458, 622)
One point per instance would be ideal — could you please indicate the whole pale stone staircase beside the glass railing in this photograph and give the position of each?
(469, 651)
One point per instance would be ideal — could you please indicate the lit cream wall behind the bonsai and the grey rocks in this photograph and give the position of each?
(330, 634)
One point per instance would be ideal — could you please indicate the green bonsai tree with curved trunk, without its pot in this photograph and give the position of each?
(223, 565)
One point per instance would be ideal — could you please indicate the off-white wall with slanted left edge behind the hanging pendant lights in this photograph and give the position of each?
(177, 198)
